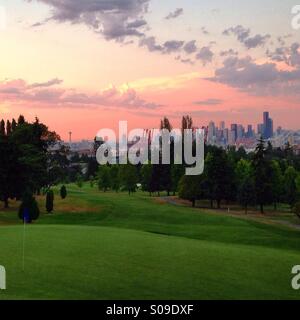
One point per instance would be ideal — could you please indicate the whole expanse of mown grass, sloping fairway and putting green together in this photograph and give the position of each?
(112, 246)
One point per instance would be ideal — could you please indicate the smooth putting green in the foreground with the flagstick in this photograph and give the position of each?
(85, 262)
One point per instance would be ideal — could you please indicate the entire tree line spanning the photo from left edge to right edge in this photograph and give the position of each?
(267, 176)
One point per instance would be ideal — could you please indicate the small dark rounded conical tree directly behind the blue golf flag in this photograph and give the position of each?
(28, 209)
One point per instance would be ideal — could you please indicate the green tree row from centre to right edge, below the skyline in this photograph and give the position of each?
(267, 176)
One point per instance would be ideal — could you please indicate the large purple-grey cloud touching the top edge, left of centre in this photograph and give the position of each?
(115, 19)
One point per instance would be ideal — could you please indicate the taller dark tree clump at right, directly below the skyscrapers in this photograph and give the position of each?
(254, 179)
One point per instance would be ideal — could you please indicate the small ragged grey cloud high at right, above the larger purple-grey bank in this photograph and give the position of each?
(243, 36)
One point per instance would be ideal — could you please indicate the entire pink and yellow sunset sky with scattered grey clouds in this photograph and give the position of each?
(85, 65)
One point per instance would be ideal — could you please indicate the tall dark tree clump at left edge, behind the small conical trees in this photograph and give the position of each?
(24, 163)
